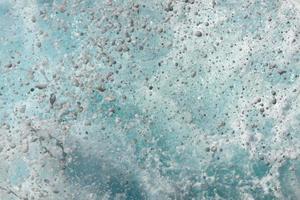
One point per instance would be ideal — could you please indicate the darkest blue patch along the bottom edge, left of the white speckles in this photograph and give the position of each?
(100, 177)
